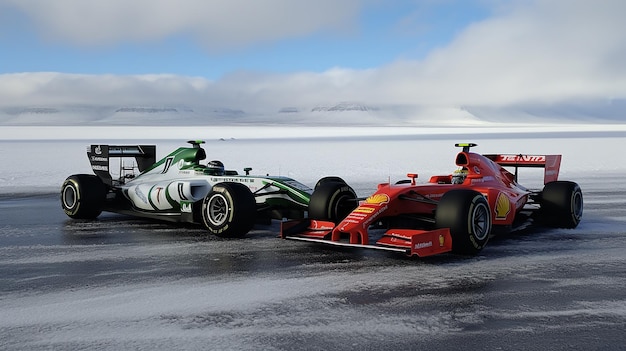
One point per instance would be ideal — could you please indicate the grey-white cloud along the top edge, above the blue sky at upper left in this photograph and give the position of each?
(218, 24)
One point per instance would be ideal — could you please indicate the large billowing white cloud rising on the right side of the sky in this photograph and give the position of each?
(537, 51)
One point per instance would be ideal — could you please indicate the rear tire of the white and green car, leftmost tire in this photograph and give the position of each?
(83, 196)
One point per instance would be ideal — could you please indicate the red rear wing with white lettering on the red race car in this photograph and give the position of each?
(550, 163)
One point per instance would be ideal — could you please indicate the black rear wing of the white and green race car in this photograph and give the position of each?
(144, 155)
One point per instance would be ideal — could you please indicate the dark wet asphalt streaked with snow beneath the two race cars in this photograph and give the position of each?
(120, 283)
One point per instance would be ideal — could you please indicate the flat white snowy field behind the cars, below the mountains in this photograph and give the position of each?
(38, 159)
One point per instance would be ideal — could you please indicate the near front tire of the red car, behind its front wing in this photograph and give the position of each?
(467, 214)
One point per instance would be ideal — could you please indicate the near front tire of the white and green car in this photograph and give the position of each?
(229, 210)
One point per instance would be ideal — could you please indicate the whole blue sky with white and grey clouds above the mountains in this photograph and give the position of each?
(480, 55)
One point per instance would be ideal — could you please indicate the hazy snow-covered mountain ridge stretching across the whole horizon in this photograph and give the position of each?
(341, 113)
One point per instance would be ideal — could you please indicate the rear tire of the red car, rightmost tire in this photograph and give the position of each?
(561, 204)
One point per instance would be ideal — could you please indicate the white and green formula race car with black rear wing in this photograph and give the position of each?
(179, 188)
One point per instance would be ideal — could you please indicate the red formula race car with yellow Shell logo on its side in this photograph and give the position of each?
(450, 213)
